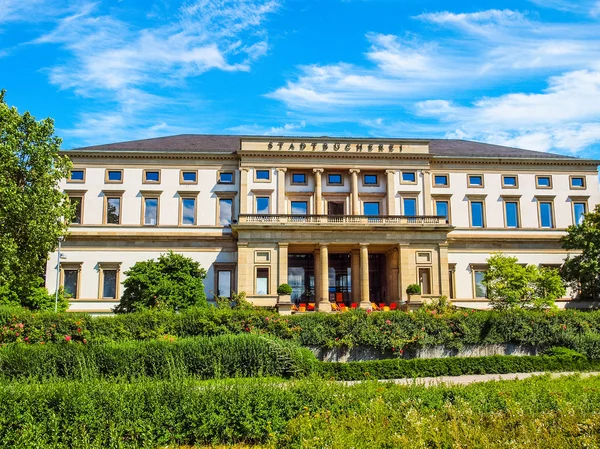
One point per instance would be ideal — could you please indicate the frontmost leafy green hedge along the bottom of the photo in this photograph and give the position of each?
(156, 414)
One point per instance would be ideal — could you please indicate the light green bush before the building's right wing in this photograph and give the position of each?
(511, 285)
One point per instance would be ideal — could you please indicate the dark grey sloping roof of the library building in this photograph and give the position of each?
(231, 143)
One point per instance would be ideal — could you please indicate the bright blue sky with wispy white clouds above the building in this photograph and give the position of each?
(519, 73)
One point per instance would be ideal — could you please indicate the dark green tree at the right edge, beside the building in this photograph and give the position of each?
(582, 272)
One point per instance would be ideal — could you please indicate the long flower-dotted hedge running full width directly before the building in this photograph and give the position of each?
(386, 331)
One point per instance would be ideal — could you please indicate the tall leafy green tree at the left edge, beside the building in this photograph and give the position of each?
(33, 212)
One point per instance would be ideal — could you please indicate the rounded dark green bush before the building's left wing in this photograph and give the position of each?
(173, 282)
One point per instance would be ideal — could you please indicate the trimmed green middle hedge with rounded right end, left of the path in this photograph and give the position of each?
(205, 358)
